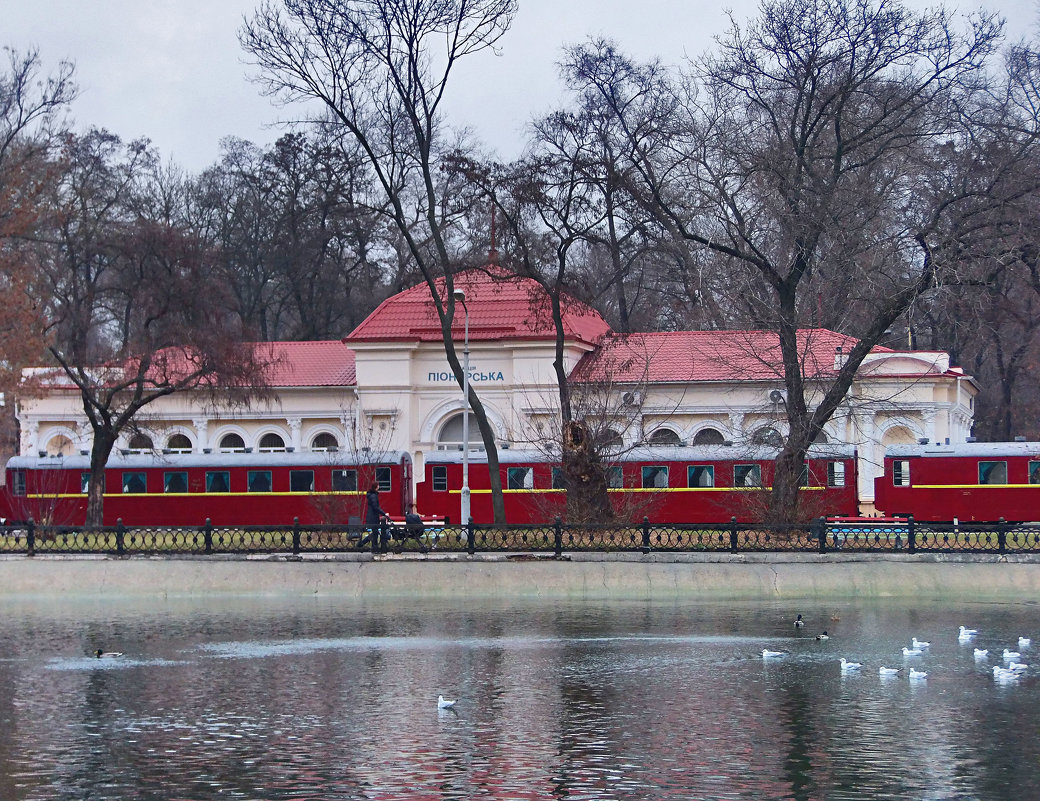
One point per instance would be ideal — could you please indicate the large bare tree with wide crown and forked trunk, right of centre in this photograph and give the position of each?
(835, 149)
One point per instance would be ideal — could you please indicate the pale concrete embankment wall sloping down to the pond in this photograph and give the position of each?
(576, 577)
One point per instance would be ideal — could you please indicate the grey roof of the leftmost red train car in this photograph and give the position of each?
(161, 460)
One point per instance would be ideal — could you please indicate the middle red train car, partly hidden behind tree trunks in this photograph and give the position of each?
(709, 484)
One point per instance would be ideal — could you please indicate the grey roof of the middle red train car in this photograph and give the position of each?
(656, 454)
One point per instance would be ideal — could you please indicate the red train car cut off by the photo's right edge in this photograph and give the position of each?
(975, 482)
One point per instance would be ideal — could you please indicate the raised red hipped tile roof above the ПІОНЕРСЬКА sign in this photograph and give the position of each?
(502, 306)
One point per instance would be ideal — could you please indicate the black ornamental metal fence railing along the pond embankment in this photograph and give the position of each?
(820, 536)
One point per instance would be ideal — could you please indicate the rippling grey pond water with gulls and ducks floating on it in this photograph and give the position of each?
(329, 700)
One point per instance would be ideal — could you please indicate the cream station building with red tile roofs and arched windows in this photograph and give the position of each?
(388, 386)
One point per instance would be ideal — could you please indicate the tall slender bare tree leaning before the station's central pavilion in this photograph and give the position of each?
(380, 69)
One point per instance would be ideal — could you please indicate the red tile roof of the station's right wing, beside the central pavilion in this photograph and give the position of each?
(686, 356)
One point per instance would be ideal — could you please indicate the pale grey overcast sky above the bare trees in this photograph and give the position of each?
(173, 70)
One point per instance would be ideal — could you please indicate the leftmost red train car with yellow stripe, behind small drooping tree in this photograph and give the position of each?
(236, 489)
